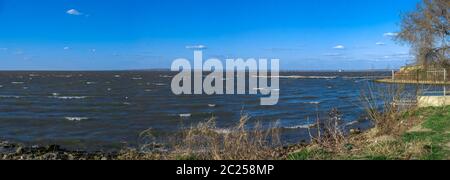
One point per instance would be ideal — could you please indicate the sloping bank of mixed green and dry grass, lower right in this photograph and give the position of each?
(424, 135)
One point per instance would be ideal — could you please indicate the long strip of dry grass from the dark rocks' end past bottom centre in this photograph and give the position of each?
(205, 142)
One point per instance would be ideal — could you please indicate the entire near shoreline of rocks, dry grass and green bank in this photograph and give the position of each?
(417, 134)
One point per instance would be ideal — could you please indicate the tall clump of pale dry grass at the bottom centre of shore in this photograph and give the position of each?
(239, 143)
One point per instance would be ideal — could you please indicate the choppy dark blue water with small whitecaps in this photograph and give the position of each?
(107, 110)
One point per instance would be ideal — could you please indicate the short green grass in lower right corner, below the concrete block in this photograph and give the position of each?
(432, 144)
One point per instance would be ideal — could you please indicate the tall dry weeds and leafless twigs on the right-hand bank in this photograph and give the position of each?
(384, 141)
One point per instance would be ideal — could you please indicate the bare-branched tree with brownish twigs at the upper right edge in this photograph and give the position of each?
(427, 30)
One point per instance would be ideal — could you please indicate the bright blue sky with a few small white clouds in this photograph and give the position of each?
(146, 34)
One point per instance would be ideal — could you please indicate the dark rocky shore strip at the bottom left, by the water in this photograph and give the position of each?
(13, 151)
